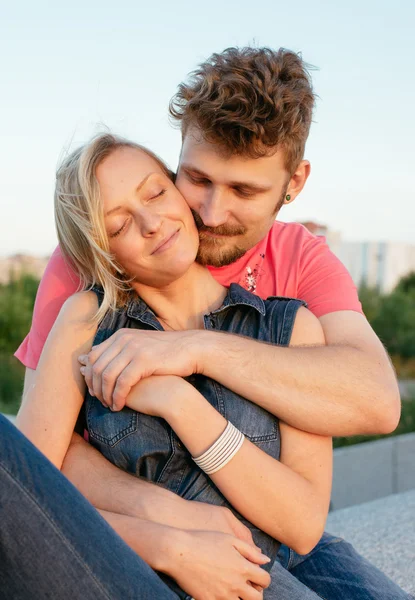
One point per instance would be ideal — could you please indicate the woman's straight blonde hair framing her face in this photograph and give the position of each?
(79, 219)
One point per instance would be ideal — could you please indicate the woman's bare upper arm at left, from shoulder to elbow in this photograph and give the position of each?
(52, 400)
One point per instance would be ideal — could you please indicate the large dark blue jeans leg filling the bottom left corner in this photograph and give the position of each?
(53, 543)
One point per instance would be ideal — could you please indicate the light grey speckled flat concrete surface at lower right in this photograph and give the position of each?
(383, 531)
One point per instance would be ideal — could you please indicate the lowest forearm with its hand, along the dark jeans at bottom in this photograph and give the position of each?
(205, 564)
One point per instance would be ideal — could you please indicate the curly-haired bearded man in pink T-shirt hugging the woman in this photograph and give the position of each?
(245, 117)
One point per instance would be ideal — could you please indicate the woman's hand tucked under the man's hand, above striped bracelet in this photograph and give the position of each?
(157, 394)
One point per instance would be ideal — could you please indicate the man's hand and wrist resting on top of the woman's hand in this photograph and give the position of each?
(129, 355)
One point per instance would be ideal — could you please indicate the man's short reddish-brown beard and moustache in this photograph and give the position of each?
(210, 250)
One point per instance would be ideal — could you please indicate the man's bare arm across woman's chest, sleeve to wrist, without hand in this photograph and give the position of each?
(347, 387)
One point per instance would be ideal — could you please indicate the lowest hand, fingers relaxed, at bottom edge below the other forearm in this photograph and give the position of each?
(215, 566)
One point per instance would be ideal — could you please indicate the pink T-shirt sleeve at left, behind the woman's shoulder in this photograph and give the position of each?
(58, 283)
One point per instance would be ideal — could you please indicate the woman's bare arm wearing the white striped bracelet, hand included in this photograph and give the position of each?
(287, 499)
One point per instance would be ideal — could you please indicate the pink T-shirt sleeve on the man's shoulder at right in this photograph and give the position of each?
(325, 284)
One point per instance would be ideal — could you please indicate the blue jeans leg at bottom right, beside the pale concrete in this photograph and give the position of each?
(332, 571)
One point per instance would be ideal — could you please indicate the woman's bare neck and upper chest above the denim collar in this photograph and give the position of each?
(183, 303)
